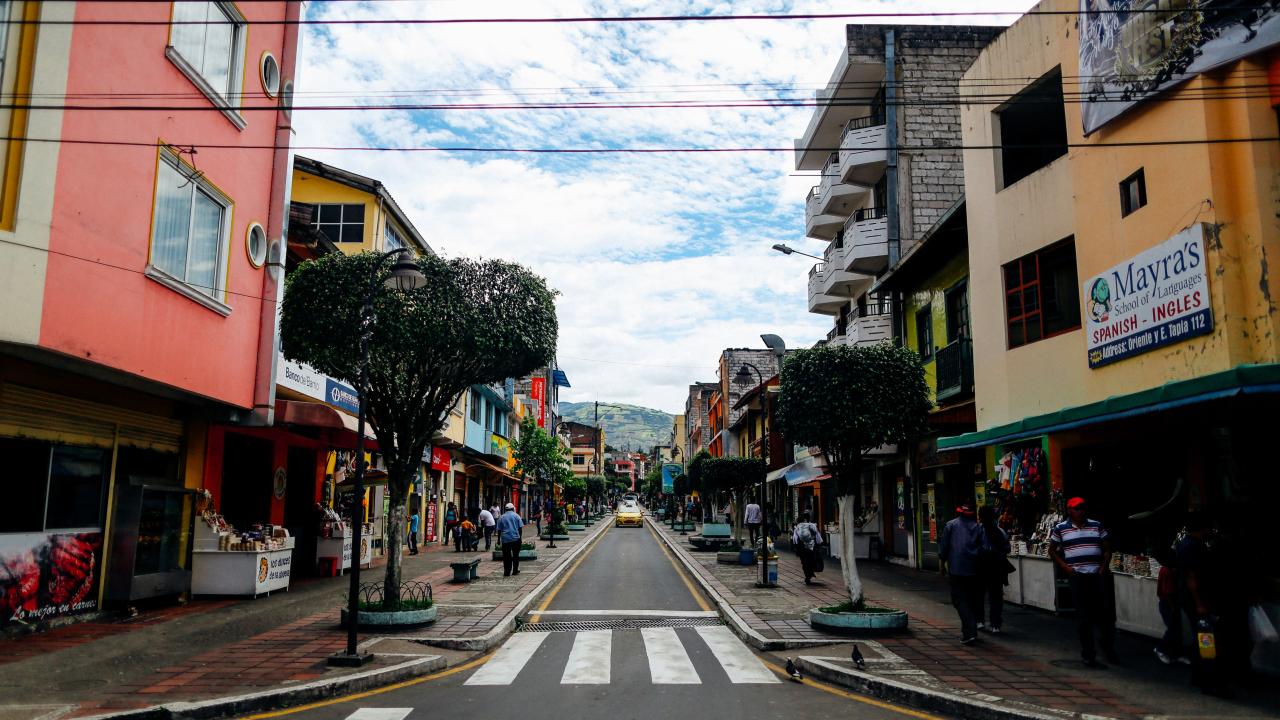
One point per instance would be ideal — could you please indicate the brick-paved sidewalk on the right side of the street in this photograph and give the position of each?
(1034, 666)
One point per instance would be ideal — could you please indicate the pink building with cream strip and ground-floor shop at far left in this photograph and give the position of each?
(143, 206)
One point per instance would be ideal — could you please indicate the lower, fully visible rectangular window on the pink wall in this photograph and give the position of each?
(191, 233)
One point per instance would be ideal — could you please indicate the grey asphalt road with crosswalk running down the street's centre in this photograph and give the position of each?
(624, 636)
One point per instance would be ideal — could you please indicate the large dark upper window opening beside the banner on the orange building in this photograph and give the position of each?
(1031, 130)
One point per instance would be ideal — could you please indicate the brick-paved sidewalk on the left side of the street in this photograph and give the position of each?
(231, 646)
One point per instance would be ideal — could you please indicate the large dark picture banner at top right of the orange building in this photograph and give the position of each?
(1135, 49)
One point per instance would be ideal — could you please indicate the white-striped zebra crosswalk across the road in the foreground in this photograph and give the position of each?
(591, 659)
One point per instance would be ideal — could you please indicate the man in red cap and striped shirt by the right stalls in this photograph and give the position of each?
(1081, 549)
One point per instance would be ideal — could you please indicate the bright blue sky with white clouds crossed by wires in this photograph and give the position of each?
(661, 261)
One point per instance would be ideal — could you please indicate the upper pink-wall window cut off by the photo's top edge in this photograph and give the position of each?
(208, 44)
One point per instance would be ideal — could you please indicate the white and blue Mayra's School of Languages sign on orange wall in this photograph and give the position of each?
(1153, 300)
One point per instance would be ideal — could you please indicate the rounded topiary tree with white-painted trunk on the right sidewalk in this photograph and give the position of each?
(848, 400)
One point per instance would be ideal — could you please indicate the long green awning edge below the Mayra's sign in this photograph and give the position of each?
(1245, 380)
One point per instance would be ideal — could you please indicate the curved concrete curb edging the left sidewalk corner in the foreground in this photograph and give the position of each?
(282, 698)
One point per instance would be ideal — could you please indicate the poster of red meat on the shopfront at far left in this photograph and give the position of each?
(48, 576)
